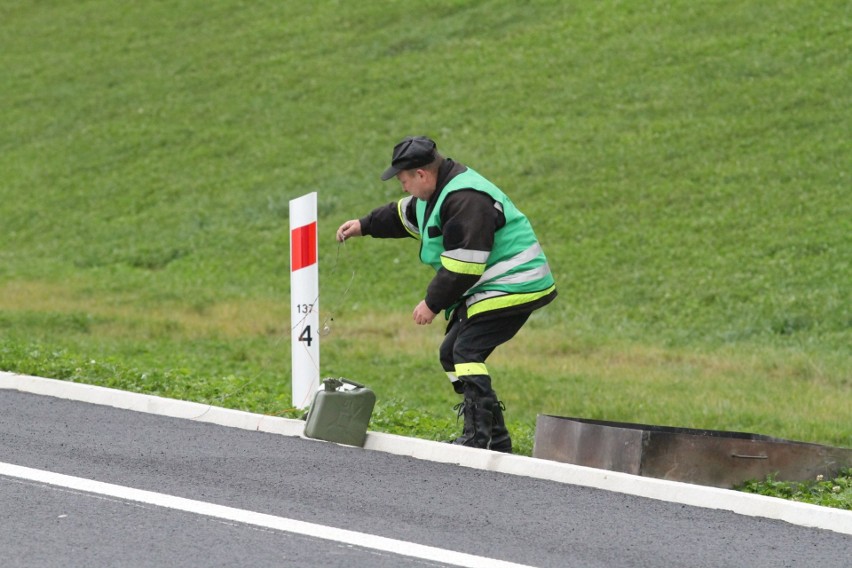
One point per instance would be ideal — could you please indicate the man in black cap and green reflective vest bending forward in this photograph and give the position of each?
(490, 271)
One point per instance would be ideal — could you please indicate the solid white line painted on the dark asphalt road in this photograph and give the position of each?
(353, 538)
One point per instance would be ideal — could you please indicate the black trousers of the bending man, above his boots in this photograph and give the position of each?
(473, 340)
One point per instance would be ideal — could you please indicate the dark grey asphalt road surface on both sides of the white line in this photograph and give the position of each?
(511, 518)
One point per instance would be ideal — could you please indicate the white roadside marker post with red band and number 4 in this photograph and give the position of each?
(304, 298)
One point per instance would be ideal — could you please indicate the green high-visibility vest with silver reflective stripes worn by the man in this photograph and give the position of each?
(513, 273)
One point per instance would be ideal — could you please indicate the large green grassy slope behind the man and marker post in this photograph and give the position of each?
(686, 167)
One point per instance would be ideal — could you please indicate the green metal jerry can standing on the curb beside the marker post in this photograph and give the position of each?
(341, 415)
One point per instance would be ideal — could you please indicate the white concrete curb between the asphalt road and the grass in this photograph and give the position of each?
(801, 514)
